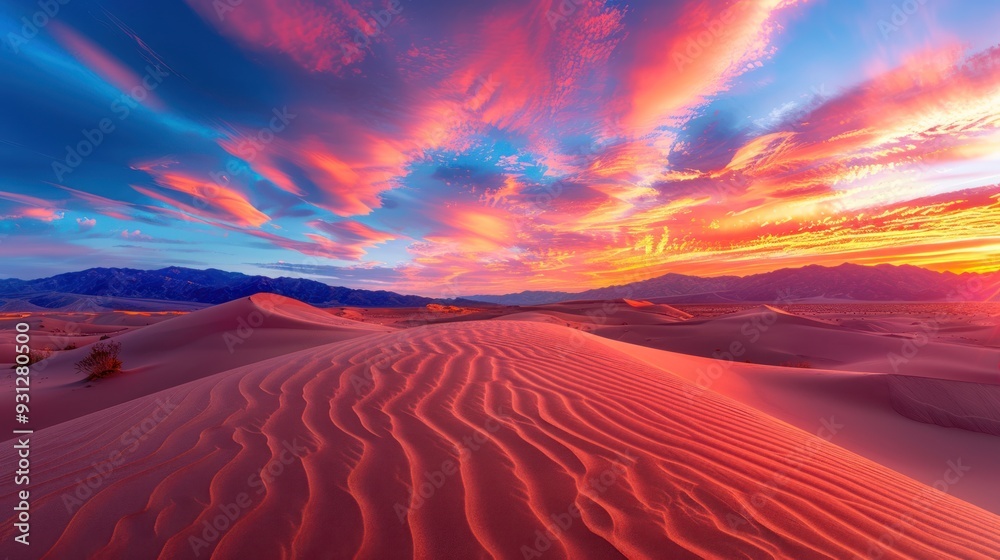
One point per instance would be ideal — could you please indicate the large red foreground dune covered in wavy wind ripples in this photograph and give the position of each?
(506, 430)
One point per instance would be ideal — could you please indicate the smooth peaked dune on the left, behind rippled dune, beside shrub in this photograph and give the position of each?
(182, 349)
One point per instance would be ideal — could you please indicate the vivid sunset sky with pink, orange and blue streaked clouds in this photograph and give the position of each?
(455, 148)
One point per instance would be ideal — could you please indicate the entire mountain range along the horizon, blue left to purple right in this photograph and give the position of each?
(125, 288)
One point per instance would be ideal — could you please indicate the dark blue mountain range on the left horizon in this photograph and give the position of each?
(106, 287)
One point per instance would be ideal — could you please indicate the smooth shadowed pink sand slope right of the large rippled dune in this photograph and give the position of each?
(913, 425)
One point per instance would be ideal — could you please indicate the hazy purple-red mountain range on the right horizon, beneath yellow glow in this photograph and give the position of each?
(845, 282)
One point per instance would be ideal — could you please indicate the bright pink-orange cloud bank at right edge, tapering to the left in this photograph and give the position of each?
(881, 140)
